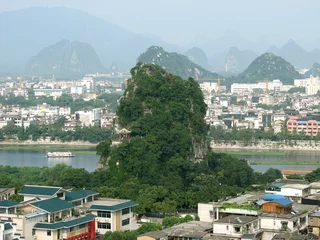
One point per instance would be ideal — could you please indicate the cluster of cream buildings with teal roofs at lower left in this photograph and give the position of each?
(53, 213)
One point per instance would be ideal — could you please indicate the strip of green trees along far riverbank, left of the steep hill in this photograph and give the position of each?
(55, 131)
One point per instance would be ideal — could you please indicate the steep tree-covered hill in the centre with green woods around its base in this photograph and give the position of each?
(159, 167)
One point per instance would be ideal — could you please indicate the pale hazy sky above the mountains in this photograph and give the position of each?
(180, 21)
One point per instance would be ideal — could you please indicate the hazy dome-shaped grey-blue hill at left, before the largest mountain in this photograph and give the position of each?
(65, 58)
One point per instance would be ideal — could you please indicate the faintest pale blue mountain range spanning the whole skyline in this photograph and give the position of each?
(24, 33)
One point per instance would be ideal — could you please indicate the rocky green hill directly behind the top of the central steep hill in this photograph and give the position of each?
(175, 63)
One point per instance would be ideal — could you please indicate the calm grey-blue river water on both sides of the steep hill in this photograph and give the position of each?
(260, 160)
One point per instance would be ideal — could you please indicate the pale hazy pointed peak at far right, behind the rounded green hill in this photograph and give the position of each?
(296, 55)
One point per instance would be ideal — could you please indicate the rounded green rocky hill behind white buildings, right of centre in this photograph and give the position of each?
(267, 66)
